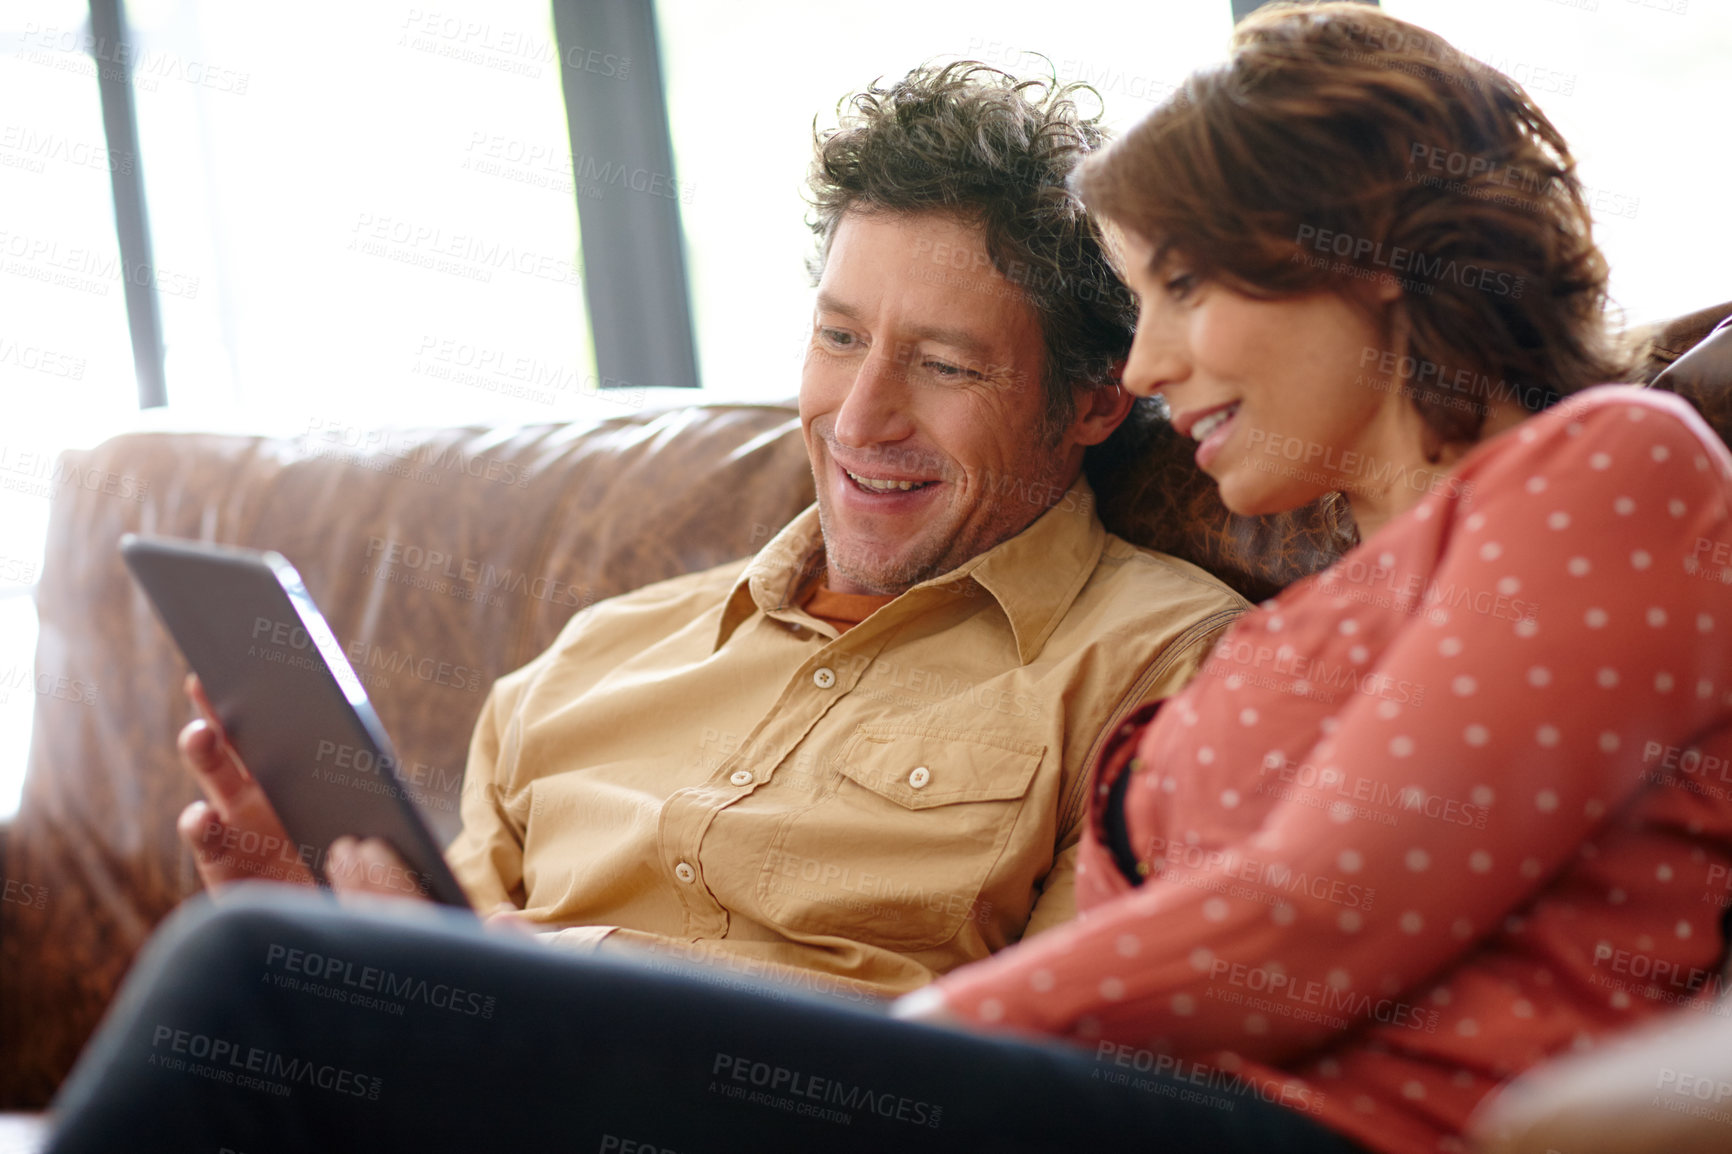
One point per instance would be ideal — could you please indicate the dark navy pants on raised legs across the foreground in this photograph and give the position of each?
(283, 1023)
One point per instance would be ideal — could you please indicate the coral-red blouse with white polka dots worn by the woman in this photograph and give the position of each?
(1454, 807)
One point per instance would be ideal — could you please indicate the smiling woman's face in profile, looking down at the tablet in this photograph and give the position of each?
(1286, 398)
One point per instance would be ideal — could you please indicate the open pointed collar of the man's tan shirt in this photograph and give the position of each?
(1033, 578)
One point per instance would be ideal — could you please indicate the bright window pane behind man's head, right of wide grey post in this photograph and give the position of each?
(746, 81)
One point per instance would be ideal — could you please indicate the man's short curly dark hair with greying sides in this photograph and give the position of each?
(992, 150)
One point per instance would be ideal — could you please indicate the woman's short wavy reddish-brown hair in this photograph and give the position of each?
(1340, 146)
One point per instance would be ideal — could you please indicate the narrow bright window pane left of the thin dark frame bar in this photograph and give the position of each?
(67, 373)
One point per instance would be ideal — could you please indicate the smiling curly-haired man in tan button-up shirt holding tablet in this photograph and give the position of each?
(895, 704)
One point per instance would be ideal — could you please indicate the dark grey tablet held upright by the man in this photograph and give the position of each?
(290, 701)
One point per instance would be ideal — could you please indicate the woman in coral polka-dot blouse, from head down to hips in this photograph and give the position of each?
(1437, 814)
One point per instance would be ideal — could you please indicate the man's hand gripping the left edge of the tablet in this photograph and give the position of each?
(235, 834)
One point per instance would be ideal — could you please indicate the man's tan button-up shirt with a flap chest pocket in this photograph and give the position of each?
(704, 768)
